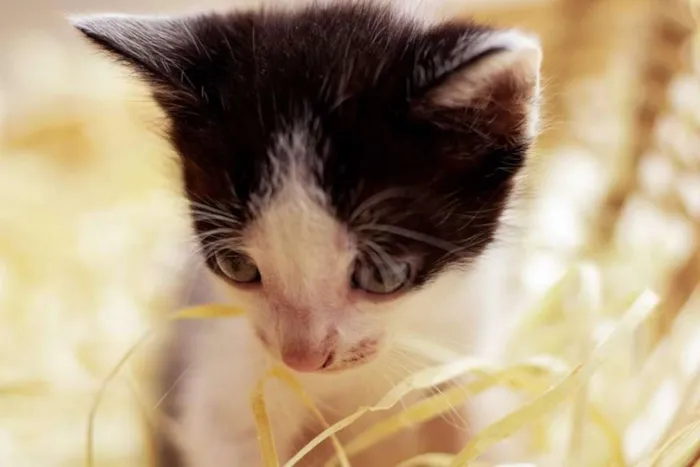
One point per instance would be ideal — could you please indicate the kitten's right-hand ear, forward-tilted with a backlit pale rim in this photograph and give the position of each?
(494, 77)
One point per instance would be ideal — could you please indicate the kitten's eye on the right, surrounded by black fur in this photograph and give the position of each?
(383, 279)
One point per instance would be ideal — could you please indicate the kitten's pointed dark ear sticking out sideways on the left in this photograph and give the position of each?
(155, 47)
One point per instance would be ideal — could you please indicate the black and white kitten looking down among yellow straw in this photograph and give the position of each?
(348, 168)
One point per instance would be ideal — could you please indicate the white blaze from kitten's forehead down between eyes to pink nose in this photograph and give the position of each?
(302, 252)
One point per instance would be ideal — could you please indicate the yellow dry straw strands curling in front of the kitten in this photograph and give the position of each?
(548, 378)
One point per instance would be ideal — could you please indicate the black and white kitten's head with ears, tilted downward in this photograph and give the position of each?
(341, 161)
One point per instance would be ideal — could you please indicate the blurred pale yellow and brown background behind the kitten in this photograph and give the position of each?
(92, 227)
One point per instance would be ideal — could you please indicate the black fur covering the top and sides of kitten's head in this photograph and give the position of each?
(360, 78)
